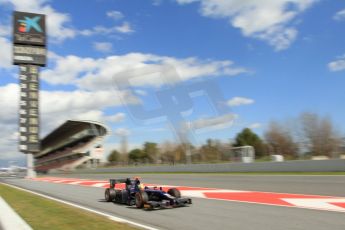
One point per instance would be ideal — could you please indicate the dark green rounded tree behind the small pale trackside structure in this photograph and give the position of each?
(247, 137)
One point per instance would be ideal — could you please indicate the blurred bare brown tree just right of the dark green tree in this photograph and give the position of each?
(280, 140)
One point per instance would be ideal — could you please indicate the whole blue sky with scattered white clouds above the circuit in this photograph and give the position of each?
(271, 60)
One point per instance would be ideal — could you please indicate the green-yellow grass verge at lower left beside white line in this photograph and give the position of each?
(41, 213)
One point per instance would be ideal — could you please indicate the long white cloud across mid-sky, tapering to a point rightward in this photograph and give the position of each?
(186, 69)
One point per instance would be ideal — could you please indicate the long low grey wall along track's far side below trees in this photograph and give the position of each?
(336, 165)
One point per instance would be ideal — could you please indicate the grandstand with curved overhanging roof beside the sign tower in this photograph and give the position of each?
(73, 144)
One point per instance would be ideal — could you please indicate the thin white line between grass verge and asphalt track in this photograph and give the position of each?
(111, 217)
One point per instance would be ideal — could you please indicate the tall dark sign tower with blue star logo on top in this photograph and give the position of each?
(29, 52)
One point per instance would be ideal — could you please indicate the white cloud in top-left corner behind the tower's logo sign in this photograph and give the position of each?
(56, 22)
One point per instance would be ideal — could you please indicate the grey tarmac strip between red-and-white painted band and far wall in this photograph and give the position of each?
(303, 184)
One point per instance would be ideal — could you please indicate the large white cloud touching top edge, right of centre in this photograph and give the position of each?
(267, 20)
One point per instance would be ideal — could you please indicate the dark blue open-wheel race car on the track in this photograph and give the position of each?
(142, 196)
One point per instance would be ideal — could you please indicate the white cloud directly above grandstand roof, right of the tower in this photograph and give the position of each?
(59, 106)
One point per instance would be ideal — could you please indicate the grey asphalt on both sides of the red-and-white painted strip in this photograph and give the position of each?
(212, 214)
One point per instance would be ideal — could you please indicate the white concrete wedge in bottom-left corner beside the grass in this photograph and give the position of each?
(9, 219)
